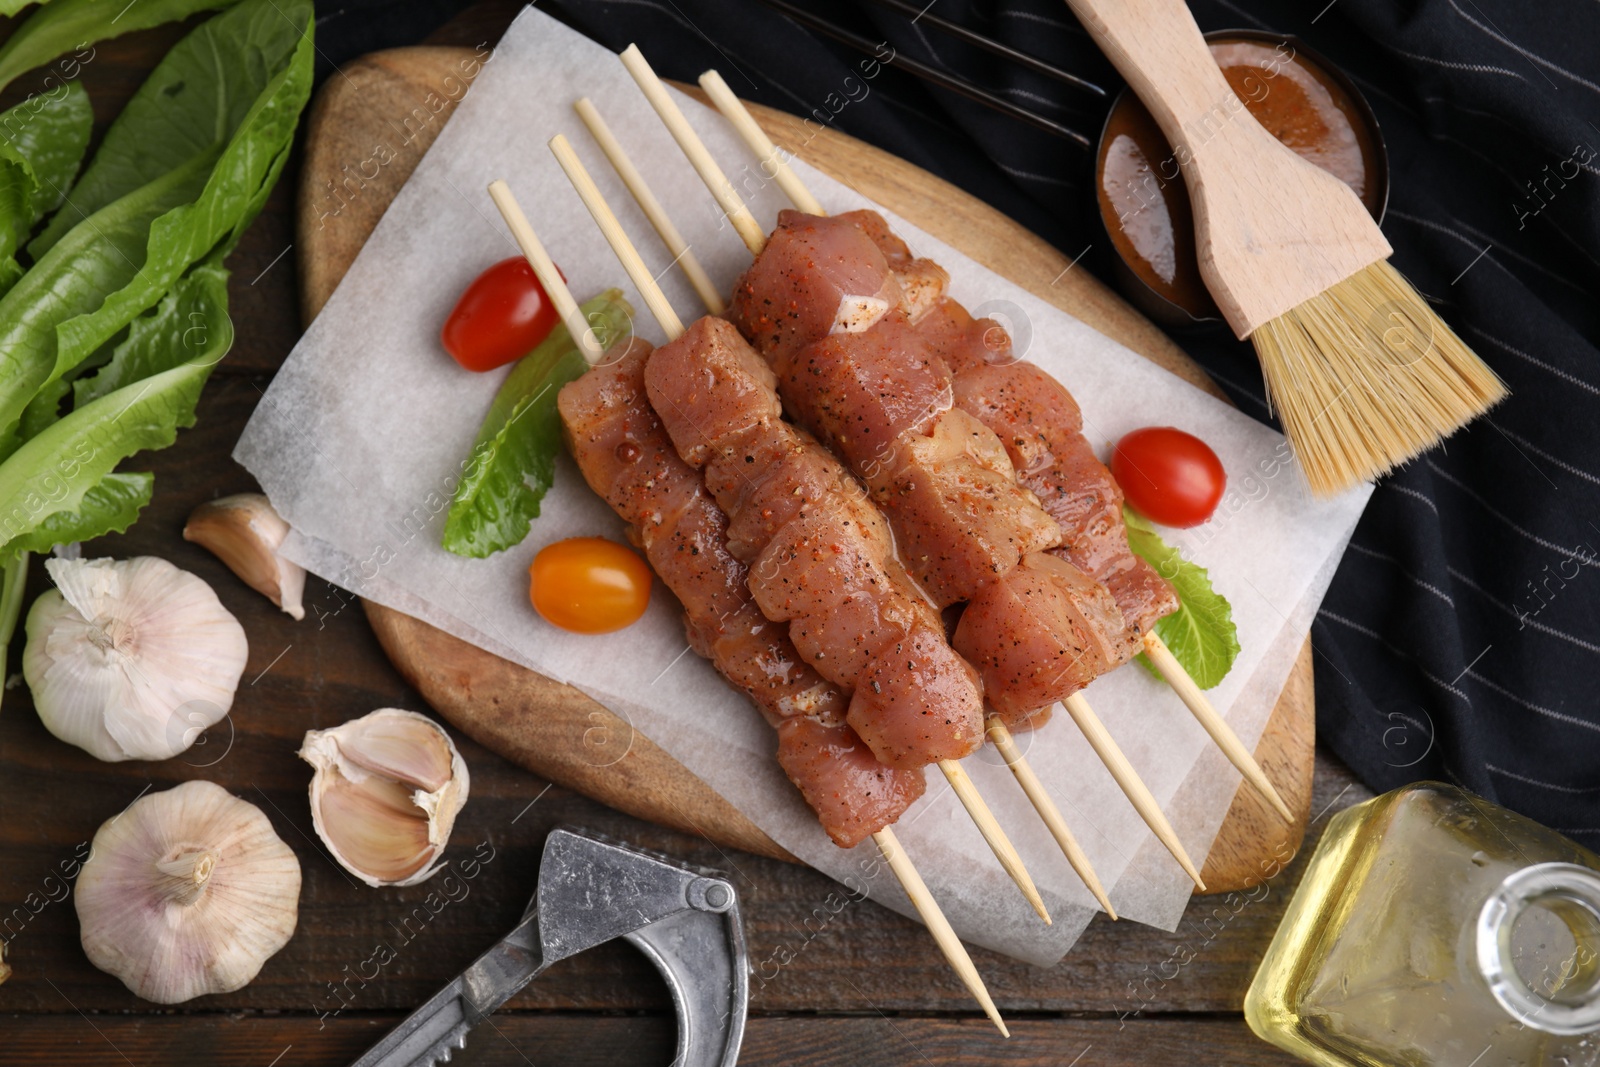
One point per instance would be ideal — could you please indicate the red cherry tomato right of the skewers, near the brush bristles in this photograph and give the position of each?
(1169, 476)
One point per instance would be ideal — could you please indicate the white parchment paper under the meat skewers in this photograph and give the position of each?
(362, 436)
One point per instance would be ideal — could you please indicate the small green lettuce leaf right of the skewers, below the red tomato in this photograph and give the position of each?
(1201, 634)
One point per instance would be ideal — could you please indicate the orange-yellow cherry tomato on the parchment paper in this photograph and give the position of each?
(590, 585)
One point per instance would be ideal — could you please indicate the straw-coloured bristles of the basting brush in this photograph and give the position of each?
(1367, 377)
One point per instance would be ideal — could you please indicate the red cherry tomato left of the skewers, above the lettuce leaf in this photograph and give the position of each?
(502, 318)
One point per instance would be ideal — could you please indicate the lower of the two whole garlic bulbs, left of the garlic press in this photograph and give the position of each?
(186, 893)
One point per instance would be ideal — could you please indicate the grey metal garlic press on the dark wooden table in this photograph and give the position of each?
(593, 892)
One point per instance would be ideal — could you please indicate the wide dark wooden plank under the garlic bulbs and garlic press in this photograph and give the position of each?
(809, 951)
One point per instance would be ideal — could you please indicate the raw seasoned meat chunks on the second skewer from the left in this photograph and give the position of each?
(822, 559)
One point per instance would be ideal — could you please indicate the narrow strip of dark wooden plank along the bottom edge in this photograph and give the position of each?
(518, 1041)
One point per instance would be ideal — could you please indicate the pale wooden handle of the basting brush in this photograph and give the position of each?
(1271, 230)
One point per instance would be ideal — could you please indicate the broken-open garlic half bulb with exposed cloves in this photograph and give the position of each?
(386, 794)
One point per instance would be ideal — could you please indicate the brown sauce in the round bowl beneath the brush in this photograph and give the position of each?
(1140, 186)
